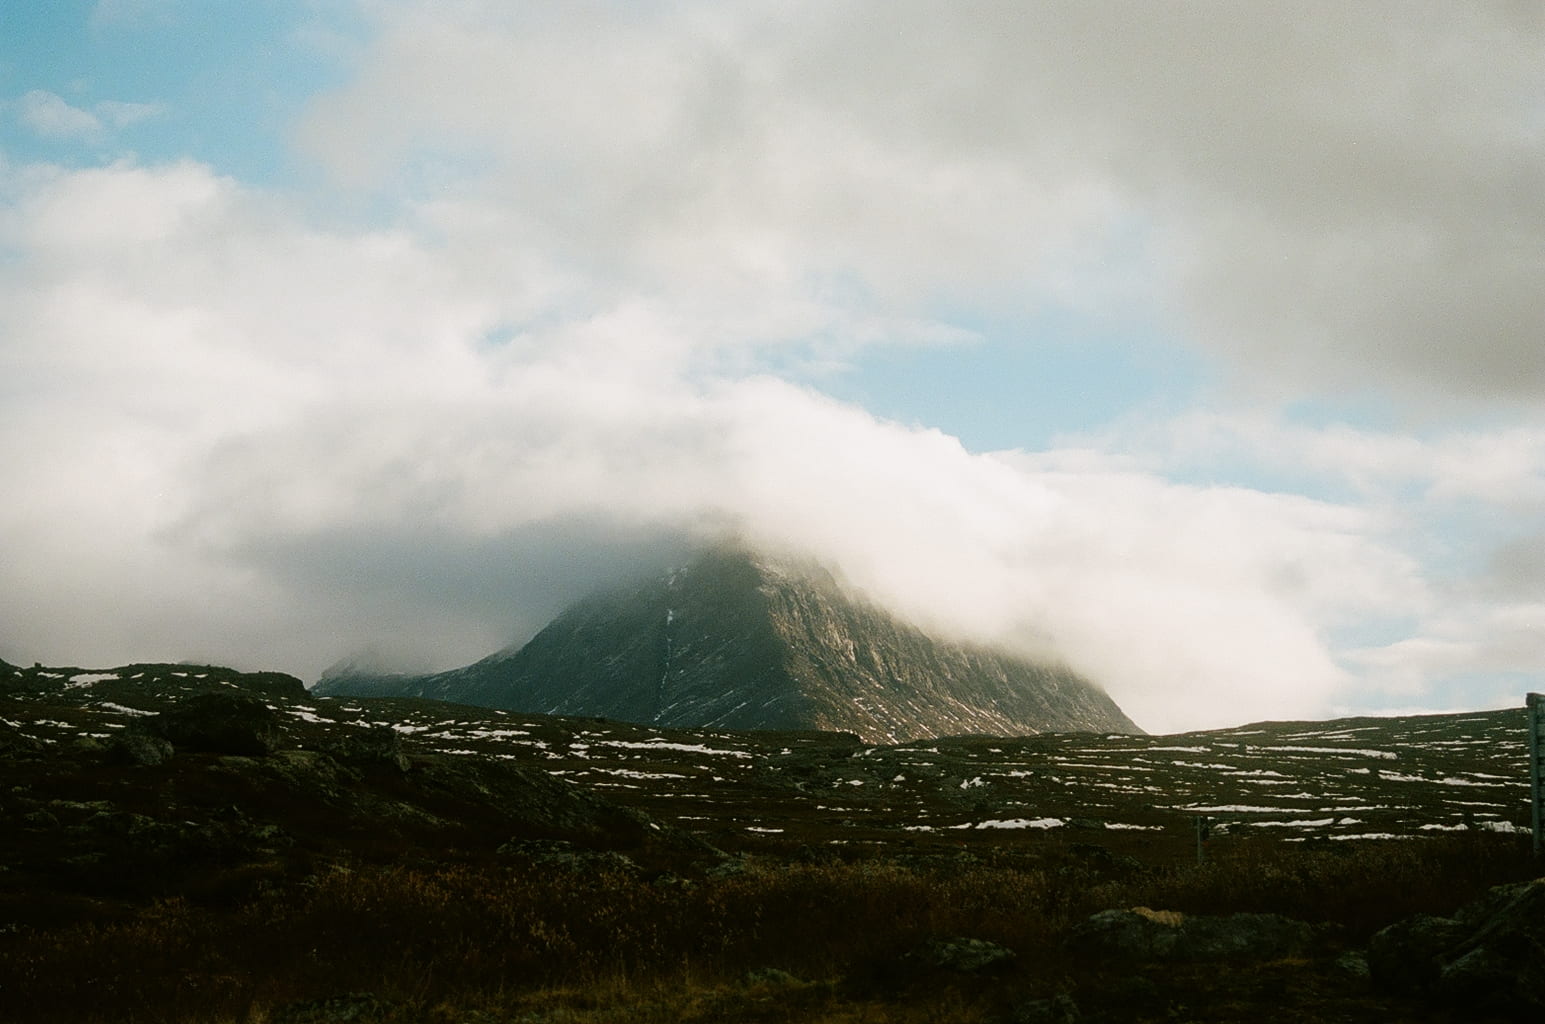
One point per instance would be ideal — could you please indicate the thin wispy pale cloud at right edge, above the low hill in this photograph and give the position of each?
(1465, 503)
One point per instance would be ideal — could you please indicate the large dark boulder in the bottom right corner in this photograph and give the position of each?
(1489, 958)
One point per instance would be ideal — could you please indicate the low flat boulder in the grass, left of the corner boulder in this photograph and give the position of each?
(1144, 935)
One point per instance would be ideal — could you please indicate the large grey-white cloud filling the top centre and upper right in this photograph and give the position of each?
(1320, 194)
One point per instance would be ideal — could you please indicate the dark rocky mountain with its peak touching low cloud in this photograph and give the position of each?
(738, 642)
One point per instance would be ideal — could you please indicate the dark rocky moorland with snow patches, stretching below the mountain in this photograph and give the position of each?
(183, 843)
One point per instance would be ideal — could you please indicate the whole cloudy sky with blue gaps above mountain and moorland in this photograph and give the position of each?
(1197, 345)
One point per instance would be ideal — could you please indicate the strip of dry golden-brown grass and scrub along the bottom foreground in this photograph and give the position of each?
(591, 948)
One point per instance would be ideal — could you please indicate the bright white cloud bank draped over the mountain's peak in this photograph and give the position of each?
(331, 399)
